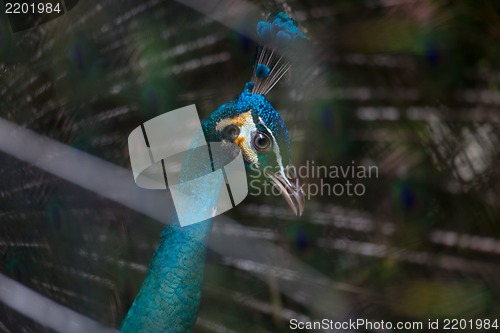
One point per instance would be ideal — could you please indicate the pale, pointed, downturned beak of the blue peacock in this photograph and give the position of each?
(288, 183)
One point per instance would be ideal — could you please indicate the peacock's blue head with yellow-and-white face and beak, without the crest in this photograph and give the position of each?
(252, 123)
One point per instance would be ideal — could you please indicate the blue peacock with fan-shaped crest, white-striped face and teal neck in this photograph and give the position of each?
(169, 297)
